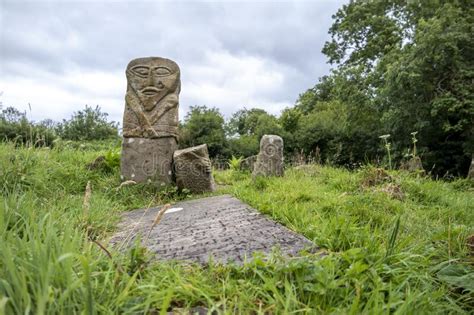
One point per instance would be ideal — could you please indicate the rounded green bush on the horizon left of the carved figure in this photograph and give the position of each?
(88, 124)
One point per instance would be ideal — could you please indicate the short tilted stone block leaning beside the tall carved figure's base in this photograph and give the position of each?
(193, 169)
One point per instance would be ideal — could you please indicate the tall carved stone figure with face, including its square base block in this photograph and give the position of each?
(150, 120)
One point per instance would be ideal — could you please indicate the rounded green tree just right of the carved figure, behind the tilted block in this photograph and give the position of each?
(204, 125)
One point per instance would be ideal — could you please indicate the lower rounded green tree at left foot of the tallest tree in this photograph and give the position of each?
(337, 117)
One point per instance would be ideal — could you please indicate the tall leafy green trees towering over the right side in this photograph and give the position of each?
(404, 66)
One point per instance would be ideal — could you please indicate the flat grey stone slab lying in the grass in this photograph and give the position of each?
(222, 227)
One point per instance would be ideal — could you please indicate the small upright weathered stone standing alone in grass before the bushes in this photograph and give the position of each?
(270, 158)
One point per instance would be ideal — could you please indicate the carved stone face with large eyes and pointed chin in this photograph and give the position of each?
(152, 79)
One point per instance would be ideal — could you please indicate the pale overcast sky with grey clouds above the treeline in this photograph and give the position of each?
(61, 55)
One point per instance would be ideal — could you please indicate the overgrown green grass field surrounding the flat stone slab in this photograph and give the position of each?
(391, 242)
